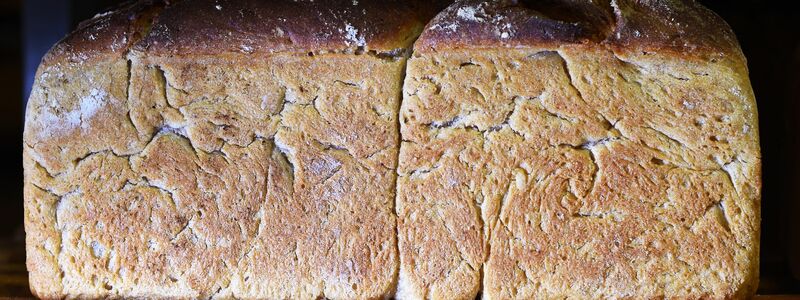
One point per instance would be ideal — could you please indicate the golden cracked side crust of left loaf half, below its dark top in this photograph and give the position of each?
(246, 187)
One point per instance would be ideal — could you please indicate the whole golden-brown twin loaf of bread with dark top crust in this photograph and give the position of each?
(292, 149)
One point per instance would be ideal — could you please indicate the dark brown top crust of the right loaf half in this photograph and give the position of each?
(677, 25)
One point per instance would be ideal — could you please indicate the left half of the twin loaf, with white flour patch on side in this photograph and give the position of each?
(228, 149)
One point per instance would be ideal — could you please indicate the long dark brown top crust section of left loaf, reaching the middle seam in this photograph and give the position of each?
(252, 26)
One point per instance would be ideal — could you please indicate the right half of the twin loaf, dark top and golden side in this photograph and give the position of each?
(578, 149)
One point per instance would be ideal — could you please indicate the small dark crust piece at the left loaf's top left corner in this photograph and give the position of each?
(109, 33)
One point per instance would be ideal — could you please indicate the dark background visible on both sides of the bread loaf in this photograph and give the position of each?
(769, 34)
